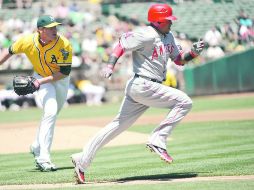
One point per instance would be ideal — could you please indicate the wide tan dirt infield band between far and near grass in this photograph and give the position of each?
(75, 133)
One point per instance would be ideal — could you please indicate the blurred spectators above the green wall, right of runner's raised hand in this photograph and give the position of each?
(234, 36)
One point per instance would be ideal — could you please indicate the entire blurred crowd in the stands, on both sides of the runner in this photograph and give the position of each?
(92, 36)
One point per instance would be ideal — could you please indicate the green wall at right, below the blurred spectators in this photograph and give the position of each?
(234, 73)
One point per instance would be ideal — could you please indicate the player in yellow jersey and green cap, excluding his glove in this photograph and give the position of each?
(51, 57)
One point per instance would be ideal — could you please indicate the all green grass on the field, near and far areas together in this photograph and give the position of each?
(199, 149)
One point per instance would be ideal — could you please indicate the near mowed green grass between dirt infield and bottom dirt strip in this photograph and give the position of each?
(199, 149)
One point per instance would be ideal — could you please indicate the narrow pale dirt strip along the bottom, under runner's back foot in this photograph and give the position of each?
(129, 182)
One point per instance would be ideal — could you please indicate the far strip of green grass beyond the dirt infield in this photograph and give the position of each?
(110, 110)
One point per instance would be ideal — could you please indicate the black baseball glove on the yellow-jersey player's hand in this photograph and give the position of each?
(24, 85)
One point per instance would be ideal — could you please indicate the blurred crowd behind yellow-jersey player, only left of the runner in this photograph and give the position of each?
(92, 36)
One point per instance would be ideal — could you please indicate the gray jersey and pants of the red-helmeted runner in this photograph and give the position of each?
(151, 51)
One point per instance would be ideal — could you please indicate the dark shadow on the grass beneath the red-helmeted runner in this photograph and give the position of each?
(159, 177)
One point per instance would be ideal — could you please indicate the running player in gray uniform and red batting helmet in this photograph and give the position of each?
(151, 48)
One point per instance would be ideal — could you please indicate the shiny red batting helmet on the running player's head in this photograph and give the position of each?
(160, 13)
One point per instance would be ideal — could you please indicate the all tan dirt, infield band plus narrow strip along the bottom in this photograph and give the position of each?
(73, 133)
